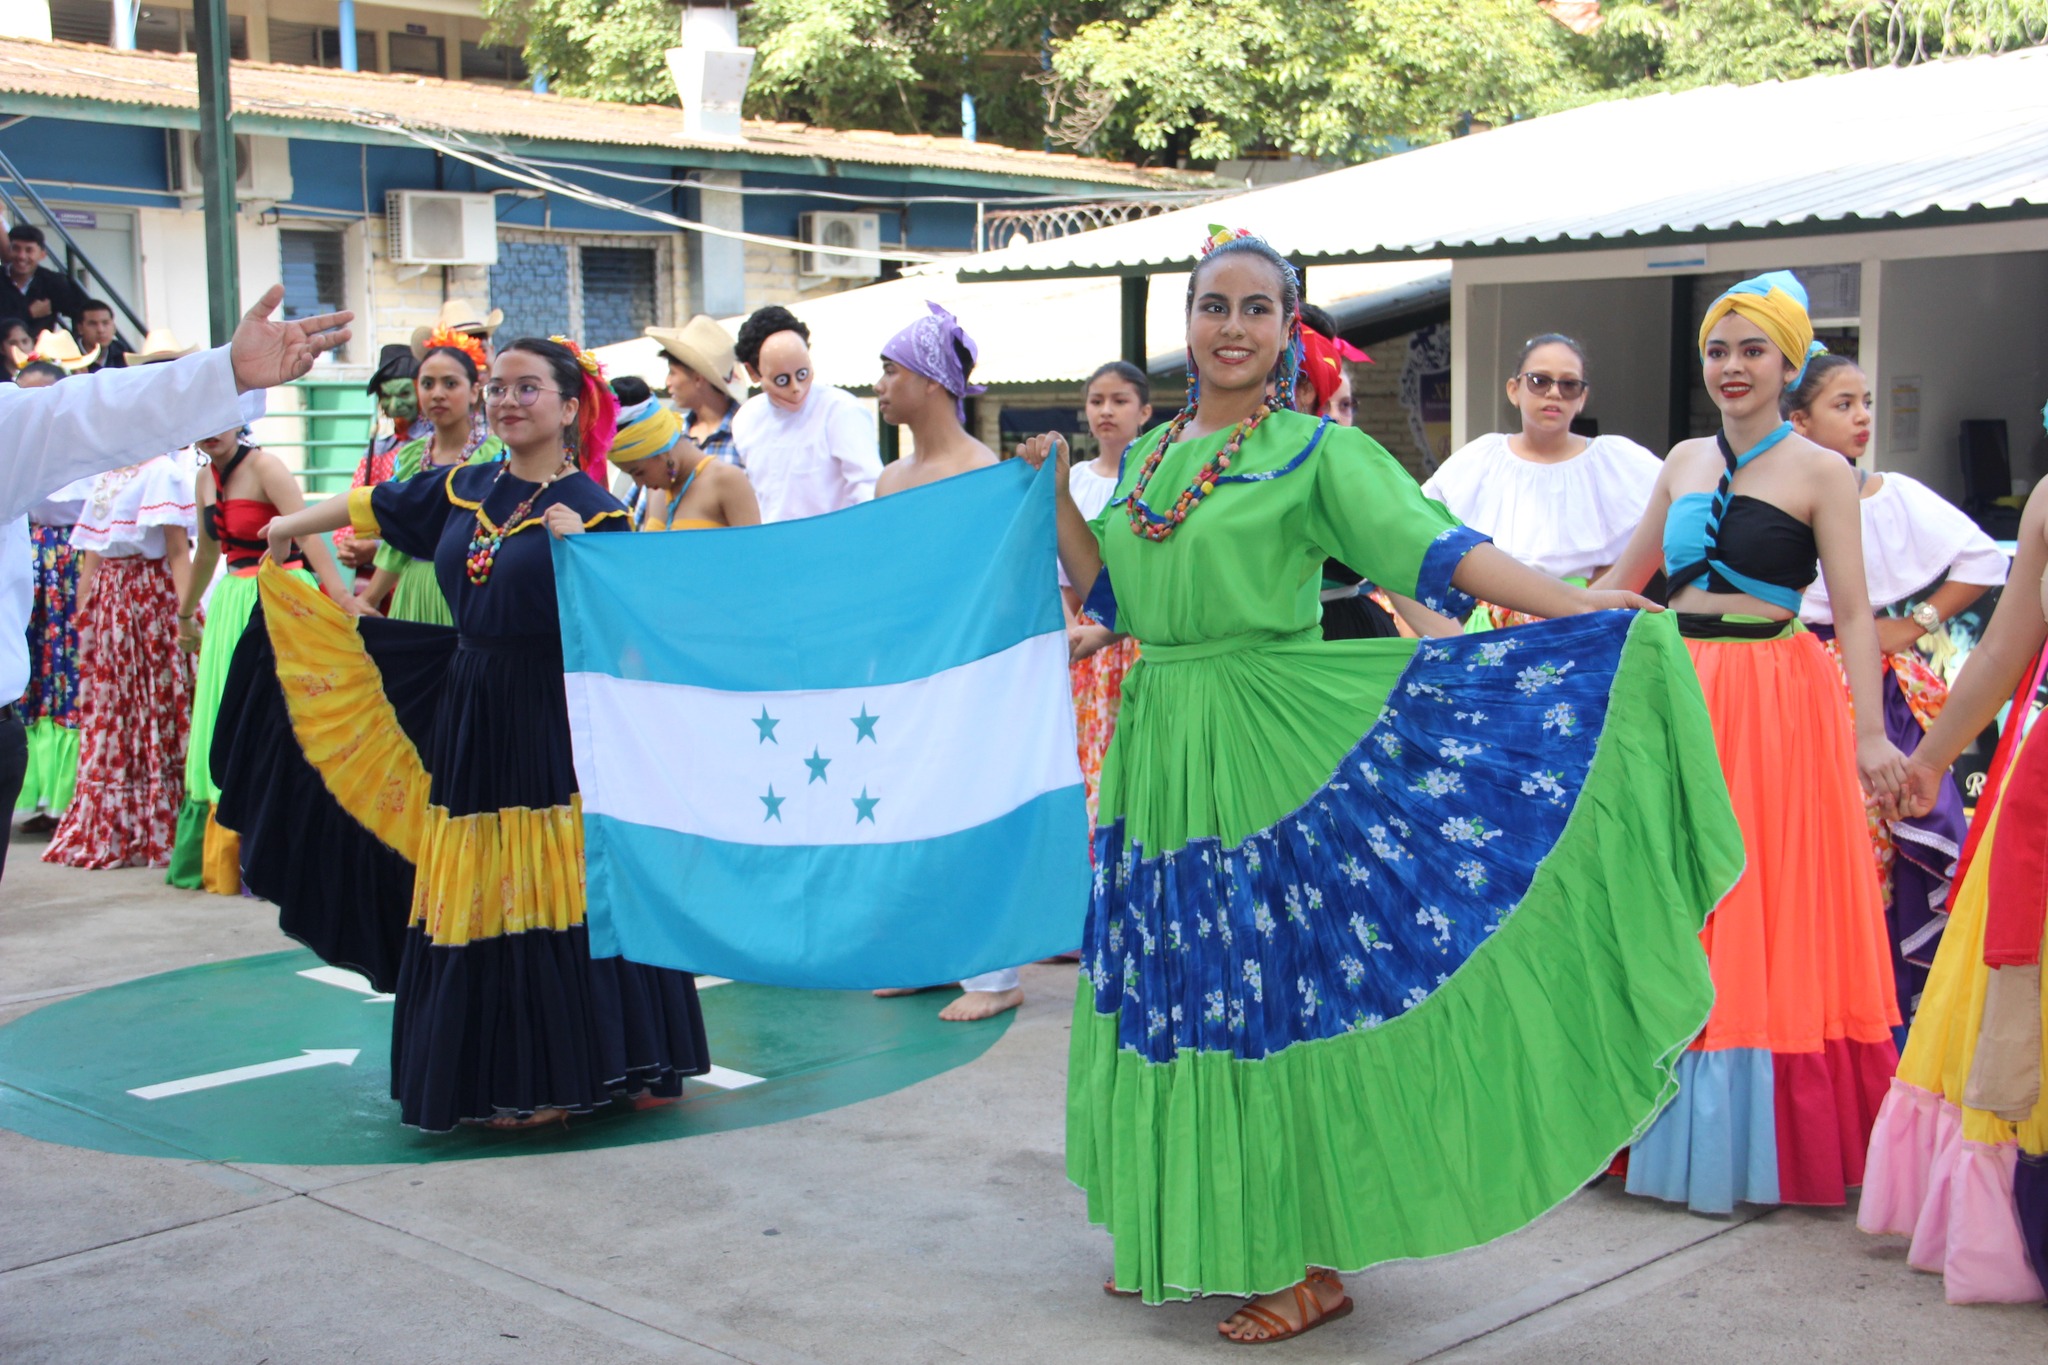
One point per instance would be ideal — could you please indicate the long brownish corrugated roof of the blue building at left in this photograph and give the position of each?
(355, 99)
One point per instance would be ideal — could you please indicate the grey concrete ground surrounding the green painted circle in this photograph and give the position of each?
(929, 1227)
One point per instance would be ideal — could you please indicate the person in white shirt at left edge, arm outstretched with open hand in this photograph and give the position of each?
(97, 423)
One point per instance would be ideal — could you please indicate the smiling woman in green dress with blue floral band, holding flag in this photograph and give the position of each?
(1394, 942)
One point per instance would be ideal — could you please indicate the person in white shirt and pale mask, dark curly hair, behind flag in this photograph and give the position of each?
(808, 449)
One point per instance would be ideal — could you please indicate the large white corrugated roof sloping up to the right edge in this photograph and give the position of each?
(1846, 152)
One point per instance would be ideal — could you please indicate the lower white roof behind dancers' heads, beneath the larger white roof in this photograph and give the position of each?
(1050, 333)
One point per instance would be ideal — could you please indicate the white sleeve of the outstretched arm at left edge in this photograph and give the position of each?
(93, 423)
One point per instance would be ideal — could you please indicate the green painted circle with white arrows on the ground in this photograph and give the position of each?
(69, 1071)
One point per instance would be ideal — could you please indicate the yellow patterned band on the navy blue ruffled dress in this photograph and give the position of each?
(478, 875)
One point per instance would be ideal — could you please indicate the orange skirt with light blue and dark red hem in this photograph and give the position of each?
(1781, 1090)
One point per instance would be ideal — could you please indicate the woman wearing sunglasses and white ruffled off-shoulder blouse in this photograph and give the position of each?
(1555, 500)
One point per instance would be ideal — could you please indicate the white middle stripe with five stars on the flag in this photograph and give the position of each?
(880, 764)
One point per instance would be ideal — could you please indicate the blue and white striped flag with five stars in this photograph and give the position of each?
(833, 752)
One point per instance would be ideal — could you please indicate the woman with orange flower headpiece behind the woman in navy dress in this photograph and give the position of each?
(450, 394)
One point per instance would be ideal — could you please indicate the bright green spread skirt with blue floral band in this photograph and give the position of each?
(1394, 944)
